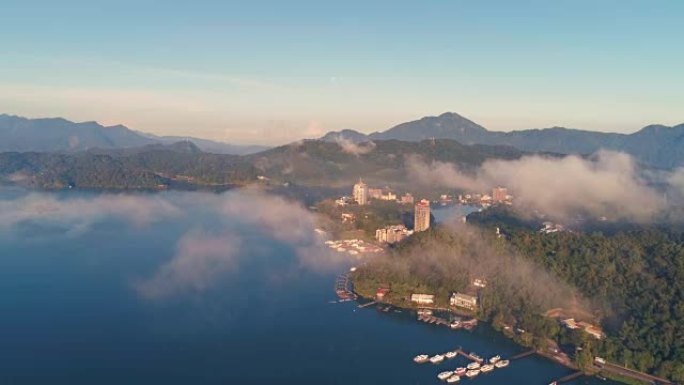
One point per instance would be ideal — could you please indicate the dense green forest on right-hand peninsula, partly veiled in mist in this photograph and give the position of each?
(631, 281)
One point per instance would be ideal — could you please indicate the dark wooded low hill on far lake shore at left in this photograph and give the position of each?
(153, 167)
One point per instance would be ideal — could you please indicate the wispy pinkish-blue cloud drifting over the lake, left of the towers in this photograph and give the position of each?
(203, 259)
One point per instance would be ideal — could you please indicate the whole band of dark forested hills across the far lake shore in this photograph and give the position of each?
(312, 163)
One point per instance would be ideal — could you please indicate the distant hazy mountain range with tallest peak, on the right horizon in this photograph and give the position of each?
(655, 145)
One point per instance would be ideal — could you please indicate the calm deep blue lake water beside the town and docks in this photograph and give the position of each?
(71, 311)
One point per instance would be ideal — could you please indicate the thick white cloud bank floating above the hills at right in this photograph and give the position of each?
(608, 184)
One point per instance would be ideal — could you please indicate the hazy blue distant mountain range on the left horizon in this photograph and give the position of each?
(60, 135)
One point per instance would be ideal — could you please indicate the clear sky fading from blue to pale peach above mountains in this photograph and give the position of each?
(271, 72)
